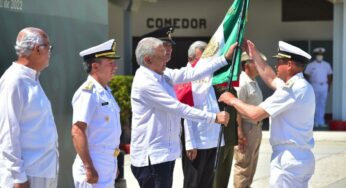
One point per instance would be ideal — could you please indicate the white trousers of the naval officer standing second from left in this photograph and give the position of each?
(106, 166)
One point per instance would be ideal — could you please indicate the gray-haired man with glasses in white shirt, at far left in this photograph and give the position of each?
(28, 135)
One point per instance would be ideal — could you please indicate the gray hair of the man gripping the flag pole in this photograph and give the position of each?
(146, 47)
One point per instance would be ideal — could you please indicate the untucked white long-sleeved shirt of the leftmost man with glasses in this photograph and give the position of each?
(28, 135)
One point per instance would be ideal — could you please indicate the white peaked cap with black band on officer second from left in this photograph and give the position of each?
(104, 50)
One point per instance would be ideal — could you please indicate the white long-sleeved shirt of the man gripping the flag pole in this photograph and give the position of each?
(156, 112)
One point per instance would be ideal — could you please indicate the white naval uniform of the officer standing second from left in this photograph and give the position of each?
(95, 106)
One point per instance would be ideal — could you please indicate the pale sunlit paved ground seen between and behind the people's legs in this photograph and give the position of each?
(330, 154)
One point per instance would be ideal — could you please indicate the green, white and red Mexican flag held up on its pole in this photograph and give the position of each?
(231, 30)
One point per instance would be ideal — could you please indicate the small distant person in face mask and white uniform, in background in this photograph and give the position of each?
(319, 73)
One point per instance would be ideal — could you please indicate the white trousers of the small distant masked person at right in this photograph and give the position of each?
(321, 94)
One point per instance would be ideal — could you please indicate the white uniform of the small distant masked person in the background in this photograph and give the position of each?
(319, 73)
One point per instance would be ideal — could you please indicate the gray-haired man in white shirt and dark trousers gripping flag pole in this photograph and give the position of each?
(156, 112)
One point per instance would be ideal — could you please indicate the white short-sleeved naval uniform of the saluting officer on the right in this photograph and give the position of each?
(291, 109)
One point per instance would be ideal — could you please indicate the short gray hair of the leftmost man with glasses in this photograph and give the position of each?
(27, 39)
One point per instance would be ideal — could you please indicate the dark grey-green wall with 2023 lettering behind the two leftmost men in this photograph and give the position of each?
(72, 26)
